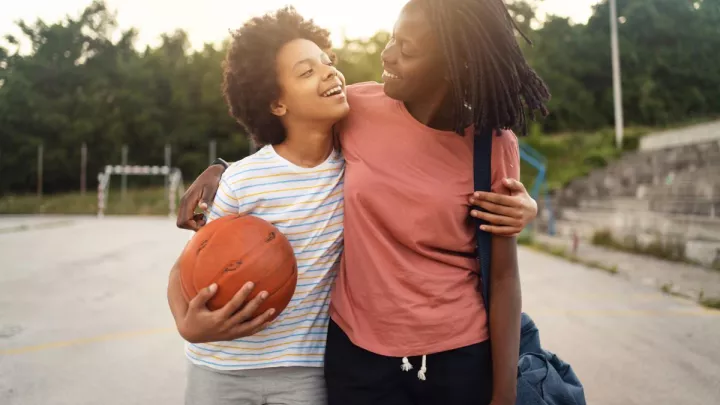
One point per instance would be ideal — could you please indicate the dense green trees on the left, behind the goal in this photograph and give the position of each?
(79, 84)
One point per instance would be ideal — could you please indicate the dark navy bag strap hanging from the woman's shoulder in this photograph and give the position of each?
(482, 169)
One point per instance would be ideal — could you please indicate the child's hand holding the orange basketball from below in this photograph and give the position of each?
(233, 321)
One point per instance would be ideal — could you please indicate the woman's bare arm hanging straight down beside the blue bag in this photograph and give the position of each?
(505, 308)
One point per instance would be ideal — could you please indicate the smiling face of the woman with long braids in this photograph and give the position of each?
(413, 61)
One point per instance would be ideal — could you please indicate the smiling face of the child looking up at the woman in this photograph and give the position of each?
(311, 88)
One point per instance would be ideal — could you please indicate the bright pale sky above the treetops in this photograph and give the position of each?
(212, 21)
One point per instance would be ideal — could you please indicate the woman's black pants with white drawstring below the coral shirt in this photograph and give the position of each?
(355, 376)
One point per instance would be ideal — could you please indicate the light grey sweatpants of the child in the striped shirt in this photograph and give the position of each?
(272, 386)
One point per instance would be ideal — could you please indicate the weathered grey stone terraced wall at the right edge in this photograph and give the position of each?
(666, 194)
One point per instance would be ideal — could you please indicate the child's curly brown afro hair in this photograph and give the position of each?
(250, 82)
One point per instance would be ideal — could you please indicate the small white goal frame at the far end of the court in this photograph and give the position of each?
(175, 187)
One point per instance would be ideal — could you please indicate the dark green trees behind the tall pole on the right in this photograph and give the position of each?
(668, 52)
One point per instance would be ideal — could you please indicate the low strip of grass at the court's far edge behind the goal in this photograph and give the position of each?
(145, 201)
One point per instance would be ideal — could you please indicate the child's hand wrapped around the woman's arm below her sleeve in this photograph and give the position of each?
(507, 215)
